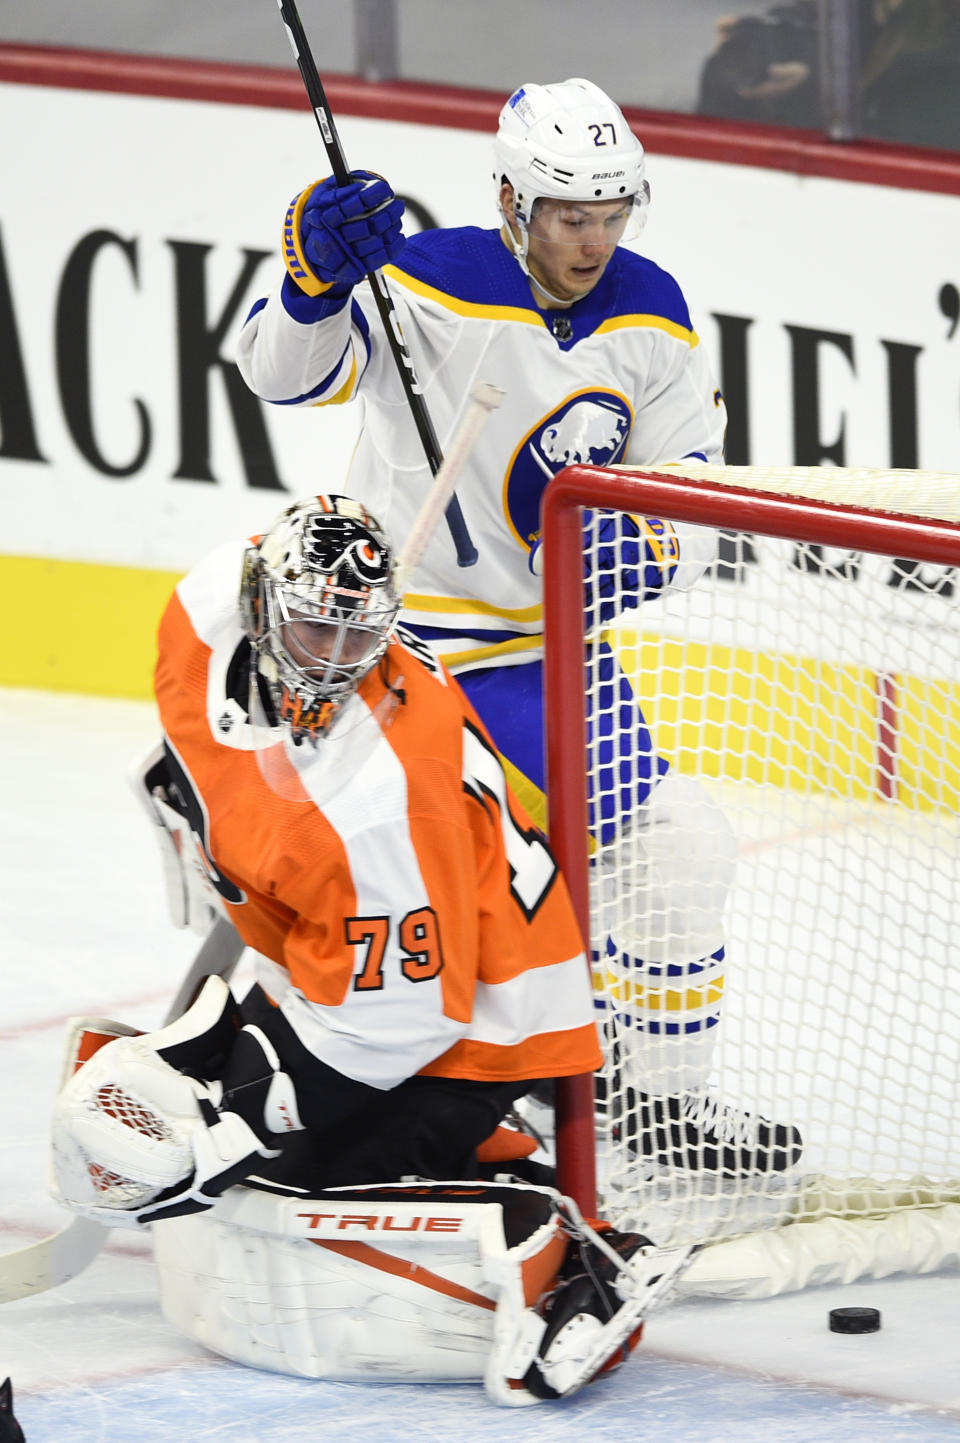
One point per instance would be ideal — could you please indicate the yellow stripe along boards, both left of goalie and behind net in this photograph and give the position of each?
(779, 721)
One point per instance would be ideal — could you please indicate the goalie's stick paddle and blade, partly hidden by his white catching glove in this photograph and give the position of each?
(61, 1256)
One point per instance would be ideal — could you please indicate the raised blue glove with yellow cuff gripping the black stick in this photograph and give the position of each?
(334, 236)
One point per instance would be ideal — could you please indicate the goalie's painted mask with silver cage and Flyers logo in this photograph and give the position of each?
(320, 605)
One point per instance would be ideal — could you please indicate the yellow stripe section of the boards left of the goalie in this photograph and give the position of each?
(80, 627)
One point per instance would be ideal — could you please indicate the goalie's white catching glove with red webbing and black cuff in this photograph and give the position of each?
(138, 1136)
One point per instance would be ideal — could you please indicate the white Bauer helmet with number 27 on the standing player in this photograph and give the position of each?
(570, 142)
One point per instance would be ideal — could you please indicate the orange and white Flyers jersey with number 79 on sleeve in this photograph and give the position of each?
(412, 917)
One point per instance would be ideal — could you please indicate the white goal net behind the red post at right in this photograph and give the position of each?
(773, 887)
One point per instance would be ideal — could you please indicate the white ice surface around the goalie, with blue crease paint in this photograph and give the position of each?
(84, 930)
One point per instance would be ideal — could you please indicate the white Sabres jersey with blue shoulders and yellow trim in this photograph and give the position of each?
(629, 383)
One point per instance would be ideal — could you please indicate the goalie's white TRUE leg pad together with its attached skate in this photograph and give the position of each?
(415, 1282)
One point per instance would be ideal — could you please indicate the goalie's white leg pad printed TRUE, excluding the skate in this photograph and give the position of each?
(393, 1284)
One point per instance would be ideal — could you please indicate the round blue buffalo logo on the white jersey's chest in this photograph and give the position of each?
(591, 428)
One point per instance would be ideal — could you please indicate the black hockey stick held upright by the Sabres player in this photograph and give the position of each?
(467, 553)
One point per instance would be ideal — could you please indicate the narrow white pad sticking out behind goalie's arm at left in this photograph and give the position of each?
(193, 901)
